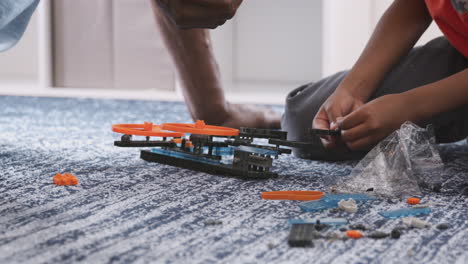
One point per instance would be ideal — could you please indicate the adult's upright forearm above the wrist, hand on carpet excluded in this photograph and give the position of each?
(196, 67)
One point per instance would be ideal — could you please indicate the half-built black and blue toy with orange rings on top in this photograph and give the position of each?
(201, 151)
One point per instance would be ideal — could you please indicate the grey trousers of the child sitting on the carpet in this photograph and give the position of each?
(432, 62)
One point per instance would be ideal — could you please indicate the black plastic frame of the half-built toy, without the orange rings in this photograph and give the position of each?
(251, 161)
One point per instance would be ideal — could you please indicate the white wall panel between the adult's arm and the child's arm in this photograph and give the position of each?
(270, 44)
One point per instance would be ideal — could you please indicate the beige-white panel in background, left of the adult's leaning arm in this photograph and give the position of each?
(109, 44)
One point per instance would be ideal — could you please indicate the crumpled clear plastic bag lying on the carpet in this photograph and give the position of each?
(399, 166)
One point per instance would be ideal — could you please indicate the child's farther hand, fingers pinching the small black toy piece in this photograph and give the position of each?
(338, 105)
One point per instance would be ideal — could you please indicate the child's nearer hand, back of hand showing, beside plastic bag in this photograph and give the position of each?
(365, 127)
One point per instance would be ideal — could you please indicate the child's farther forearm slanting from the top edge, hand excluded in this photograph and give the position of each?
(396, 33)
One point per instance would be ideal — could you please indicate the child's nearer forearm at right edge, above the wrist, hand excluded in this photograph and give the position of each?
(442, 96)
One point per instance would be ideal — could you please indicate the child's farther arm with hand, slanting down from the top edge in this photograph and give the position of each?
(396, 33)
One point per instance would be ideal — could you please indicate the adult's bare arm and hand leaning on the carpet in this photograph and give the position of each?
(198, 71)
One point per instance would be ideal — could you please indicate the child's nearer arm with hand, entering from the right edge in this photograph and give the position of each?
(377, 119)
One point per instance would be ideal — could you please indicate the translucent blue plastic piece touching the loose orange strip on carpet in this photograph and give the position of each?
(329, 201)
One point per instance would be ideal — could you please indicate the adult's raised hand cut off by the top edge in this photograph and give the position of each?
(199, 13)
